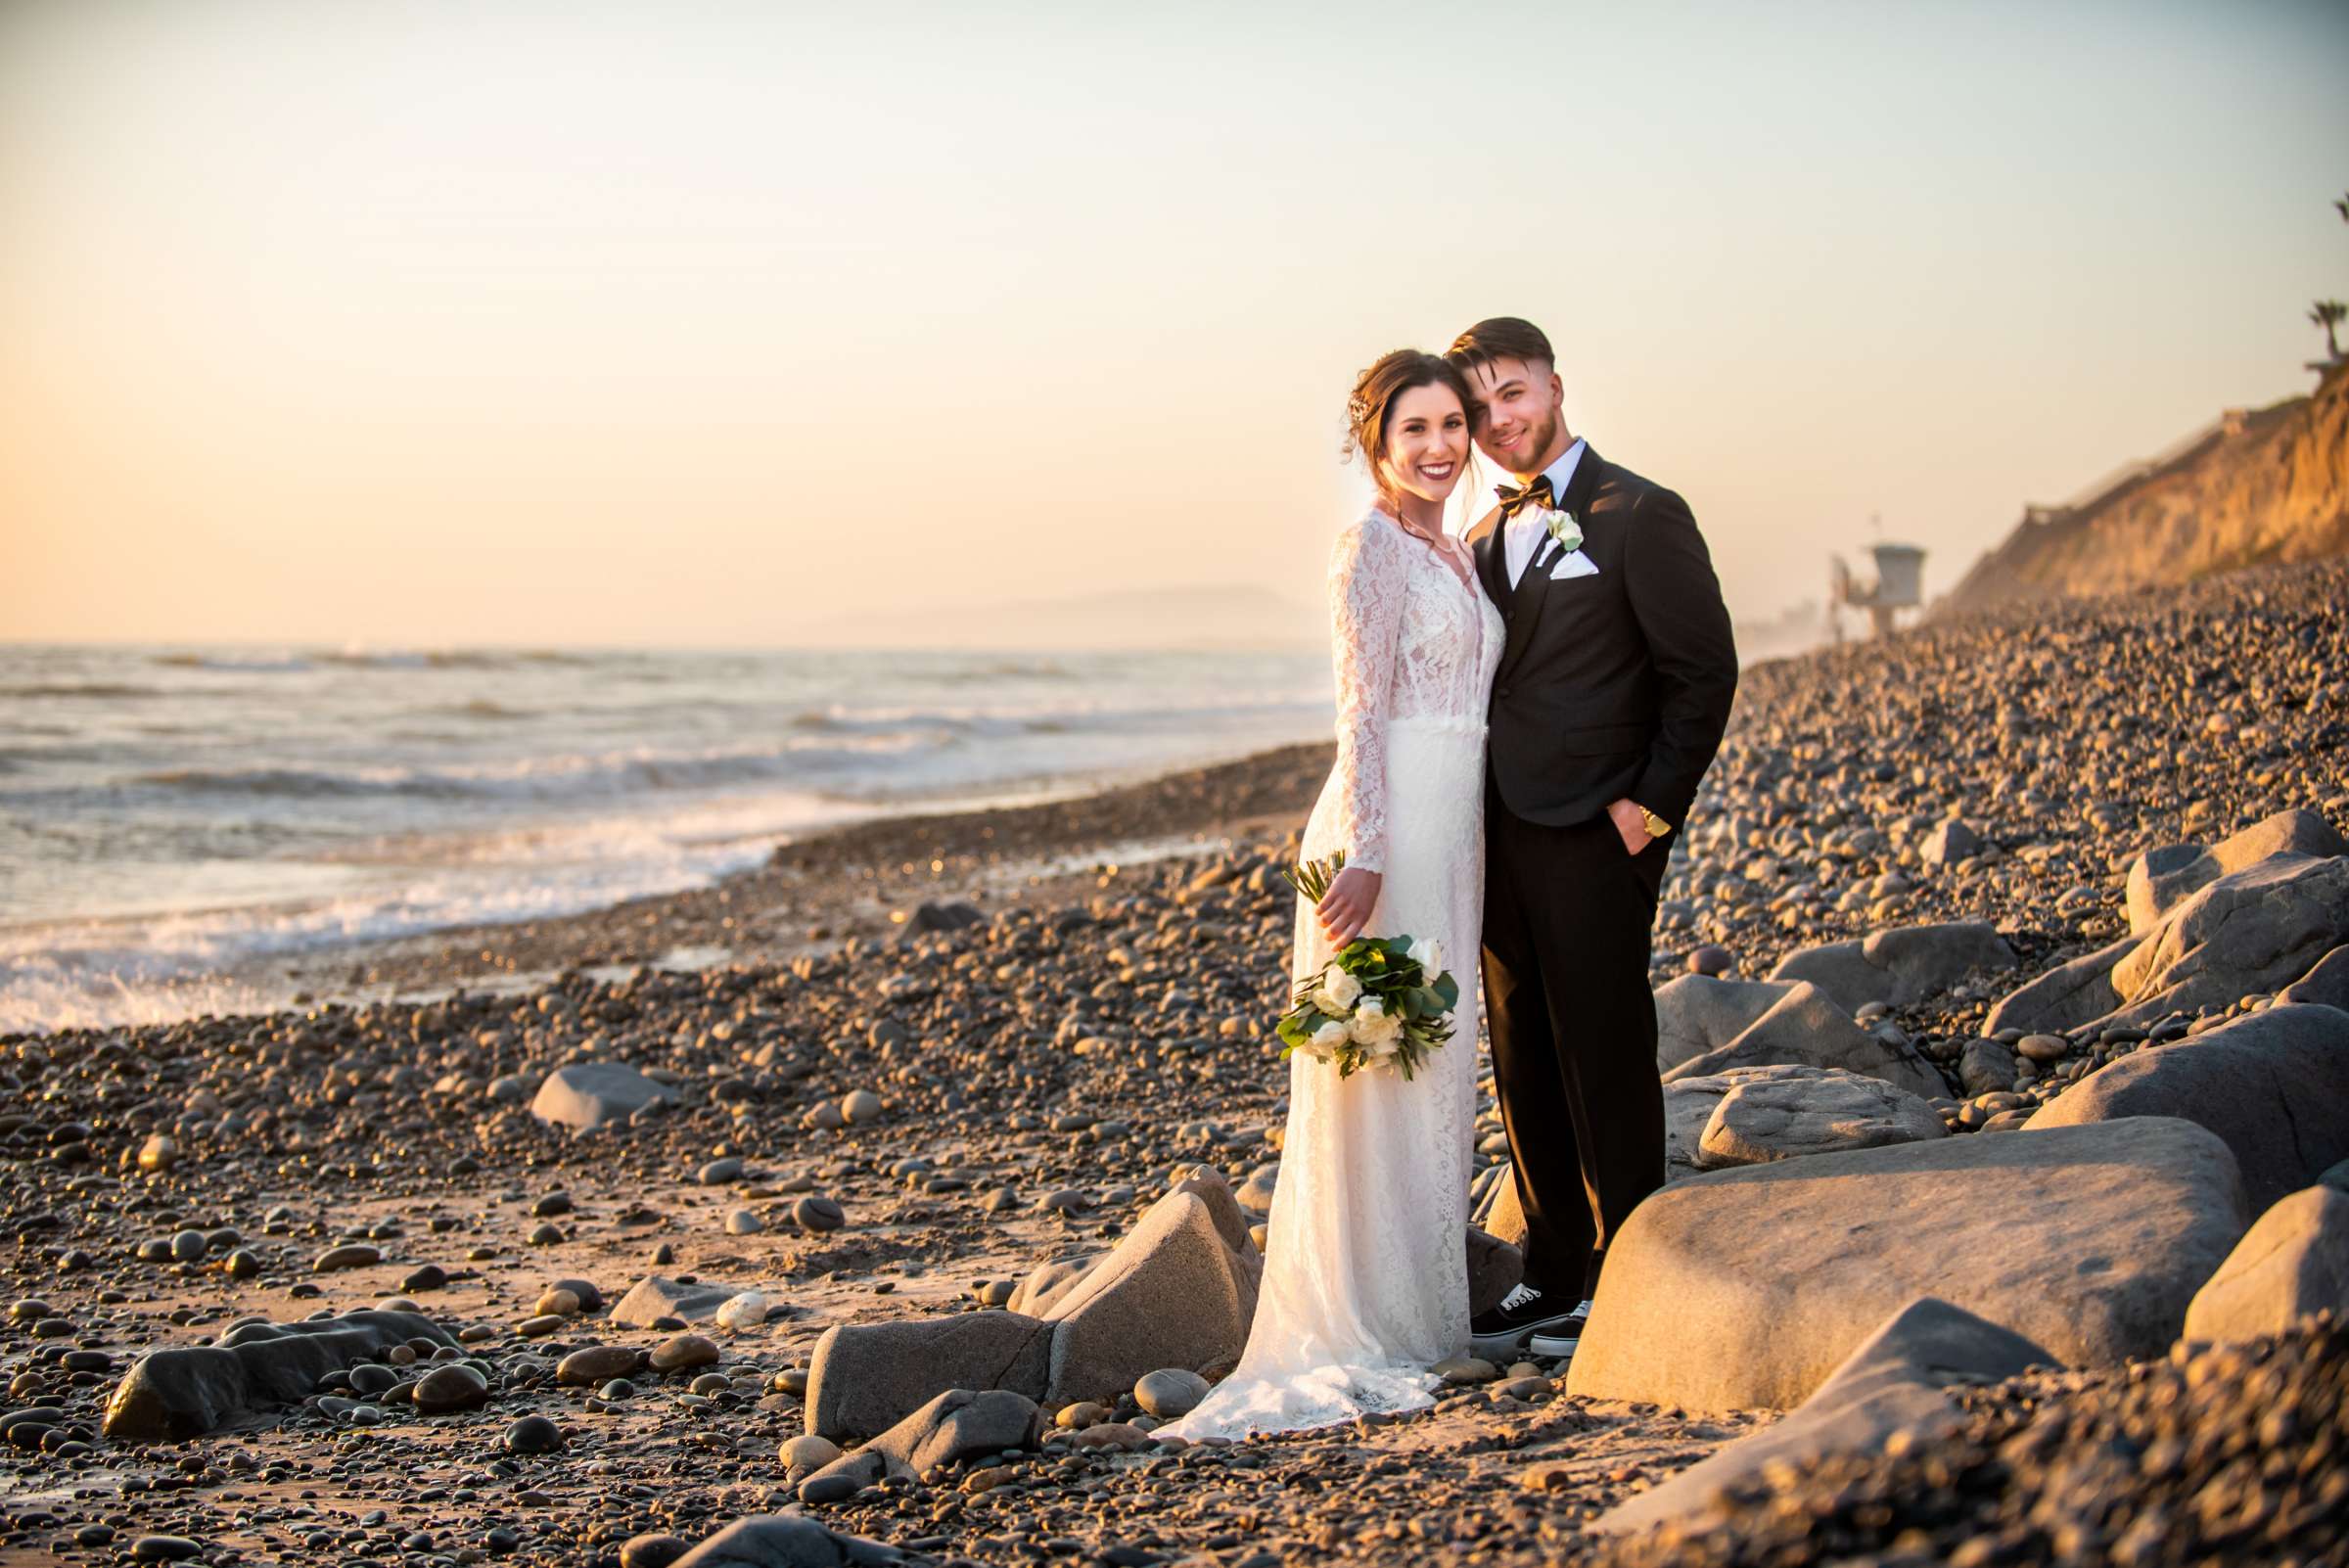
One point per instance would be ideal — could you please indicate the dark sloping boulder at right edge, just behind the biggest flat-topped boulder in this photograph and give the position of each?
(2275, 1086)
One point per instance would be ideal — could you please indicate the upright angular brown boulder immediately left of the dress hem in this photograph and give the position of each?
(1180, 1290)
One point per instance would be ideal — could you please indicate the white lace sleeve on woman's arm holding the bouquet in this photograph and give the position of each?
(1366, 621)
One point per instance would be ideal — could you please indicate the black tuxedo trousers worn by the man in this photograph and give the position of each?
(1568, 919)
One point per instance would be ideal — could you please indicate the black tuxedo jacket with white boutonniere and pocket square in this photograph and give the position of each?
(1617, 684)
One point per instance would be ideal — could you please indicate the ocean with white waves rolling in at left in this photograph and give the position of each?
(170, 813)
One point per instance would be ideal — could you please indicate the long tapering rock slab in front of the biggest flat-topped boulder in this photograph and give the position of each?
(1892, 1384)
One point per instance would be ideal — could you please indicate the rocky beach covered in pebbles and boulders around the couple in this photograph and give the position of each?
(612, 1264)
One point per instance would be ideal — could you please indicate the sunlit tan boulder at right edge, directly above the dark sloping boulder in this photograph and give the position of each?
(2249, 933)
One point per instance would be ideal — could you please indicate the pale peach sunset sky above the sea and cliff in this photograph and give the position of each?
(490, 323)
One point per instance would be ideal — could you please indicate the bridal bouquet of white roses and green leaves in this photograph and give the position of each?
(1378, 1003)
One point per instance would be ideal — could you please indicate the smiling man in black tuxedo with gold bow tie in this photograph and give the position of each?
(1610, 703)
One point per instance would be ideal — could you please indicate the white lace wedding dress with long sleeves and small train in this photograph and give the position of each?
(1366, 1273)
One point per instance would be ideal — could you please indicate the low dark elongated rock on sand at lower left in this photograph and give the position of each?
(175, 1395)
